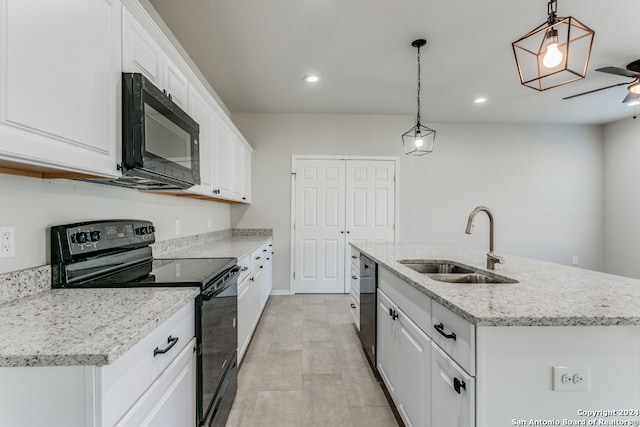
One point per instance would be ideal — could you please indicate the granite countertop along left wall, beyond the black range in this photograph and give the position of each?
(234, 247)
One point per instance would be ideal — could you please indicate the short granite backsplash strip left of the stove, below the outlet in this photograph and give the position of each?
(22, 283)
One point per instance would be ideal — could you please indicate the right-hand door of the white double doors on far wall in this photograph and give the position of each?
(370, 202)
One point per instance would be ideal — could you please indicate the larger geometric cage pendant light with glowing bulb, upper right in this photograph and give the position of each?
(554, 53)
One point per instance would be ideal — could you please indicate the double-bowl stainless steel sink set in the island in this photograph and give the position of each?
(451, 272)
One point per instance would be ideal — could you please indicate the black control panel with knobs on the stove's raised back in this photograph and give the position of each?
(84, 239)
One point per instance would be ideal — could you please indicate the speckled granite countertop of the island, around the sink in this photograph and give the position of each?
(547, 294)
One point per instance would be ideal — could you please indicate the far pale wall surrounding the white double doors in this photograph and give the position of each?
(544, 183)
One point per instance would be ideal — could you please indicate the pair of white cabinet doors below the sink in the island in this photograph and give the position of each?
(404, 362)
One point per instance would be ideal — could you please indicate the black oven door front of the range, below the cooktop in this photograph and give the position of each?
(217, 337)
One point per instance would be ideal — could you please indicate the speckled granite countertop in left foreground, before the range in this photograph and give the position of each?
(68, 327)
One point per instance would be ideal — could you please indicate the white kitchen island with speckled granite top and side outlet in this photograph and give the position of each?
(558, 343)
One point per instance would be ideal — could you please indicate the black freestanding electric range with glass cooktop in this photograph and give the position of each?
(117, 253)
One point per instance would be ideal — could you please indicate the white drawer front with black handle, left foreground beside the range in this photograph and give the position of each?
(123, 382)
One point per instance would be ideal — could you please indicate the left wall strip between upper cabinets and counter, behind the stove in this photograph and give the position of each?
(32, 205)
